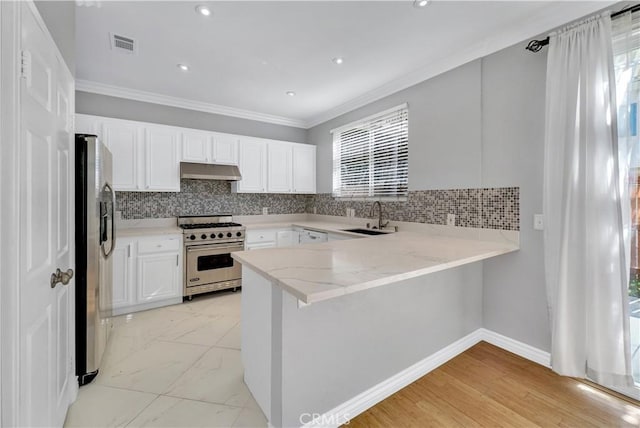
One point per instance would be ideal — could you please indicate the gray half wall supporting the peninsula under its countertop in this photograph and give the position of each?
(332, 351)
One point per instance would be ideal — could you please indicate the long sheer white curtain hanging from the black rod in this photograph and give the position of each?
(586, 260)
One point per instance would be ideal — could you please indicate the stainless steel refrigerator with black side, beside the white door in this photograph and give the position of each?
(95, 242)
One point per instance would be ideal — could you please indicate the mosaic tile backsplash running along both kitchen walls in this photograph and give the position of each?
(491, 208)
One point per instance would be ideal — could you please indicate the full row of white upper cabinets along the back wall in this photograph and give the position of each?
(146, 156)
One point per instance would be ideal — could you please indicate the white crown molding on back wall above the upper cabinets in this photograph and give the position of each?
(154, 98)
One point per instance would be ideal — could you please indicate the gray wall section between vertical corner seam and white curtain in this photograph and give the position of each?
(513, 87)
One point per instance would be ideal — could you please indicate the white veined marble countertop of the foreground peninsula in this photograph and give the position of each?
(317, 272)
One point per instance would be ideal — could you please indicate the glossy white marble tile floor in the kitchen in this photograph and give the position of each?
(177, 366)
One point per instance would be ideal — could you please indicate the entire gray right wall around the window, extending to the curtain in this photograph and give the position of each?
(480, 125)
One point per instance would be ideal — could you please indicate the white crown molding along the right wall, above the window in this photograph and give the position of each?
(547, 18)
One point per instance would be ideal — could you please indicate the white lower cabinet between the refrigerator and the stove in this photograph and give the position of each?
(147, 273)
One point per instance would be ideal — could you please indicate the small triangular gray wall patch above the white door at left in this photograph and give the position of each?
(60, 17)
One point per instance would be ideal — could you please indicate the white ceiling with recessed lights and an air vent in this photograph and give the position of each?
(247, 55)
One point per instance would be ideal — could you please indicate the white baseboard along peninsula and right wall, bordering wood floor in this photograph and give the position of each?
(343, 413)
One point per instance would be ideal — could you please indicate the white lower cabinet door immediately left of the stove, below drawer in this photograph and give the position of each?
(157, 277)
